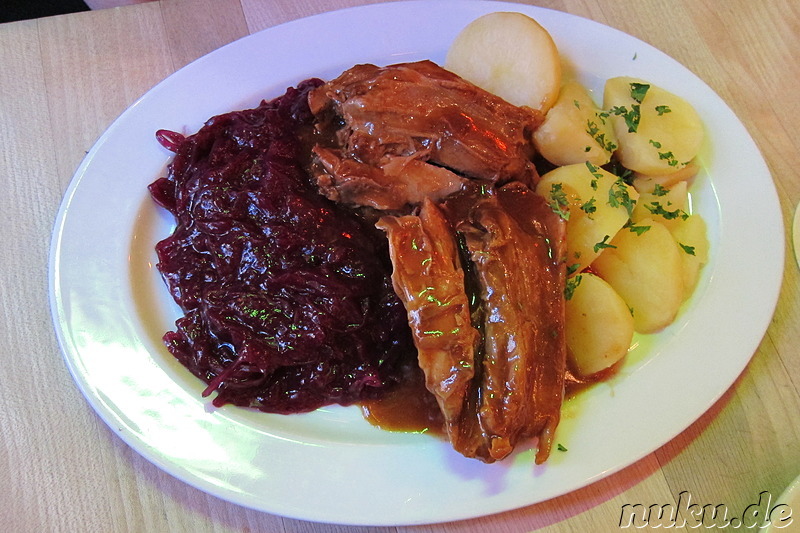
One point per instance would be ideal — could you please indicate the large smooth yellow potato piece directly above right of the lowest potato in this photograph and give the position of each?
(646, 270)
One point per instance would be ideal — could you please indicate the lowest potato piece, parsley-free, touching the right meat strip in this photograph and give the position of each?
(598, 326)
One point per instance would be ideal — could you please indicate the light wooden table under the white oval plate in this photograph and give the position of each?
(64, 79)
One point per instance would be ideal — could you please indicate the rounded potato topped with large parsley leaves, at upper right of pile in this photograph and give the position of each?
(665, 136)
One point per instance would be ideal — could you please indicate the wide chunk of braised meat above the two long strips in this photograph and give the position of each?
(414, 130)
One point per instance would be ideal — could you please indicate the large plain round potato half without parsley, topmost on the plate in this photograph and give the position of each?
(510, 55)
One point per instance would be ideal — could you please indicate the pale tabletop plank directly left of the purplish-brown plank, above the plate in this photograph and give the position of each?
(119, 57)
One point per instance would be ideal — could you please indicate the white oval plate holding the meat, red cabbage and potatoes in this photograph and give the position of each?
(110, 307)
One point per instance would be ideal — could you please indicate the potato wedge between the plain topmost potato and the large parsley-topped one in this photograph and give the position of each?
(574, 131)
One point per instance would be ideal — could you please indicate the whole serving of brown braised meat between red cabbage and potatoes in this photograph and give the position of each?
(477, 256)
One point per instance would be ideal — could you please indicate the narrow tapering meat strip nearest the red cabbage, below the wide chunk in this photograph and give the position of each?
(428, 277)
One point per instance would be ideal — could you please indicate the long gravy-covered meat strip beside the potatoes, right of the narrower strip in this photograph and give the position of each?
(517, 245)
